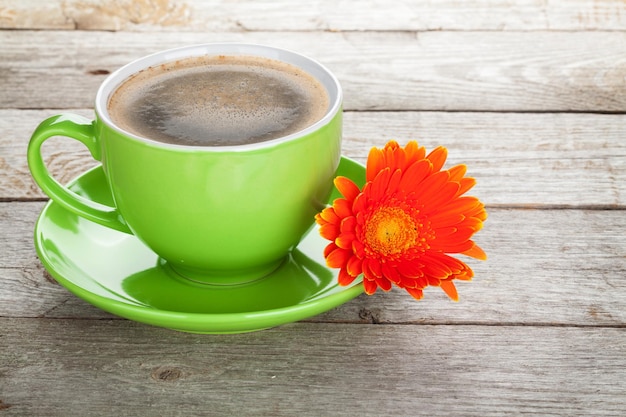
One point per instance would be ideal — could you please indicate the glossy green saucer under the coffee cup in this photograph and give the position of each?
(119, 274)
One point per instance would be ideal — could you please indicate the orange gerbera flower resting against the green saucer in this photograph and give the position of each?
(400, 228)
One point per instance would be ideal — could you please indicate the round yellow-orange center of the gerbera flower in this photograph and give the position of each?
(390, 231)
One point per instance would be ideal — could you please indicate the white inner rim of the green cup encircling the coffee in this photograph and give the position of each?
(305, 63)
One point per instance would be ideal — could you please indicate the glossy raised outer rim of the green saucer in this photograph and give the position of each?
(193, 322)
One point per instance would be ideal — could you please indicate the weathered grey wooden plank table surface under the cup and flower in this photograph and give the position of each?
(531, 95)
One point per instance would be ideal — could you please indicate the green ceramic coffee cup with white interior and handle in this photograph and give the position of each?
(214, 214)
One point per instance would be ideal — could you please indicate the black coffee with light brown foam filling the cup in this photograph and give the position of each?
(217, 101)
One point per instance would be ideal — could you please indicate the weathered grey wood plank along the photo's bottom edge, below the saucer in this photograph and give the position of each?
(310, 370)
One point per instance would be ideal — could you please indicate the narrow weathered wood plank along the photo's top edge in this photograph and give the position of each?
(222, 15)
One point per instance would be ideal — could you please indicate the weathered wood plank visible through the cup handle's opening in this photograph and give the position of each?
(518, 159)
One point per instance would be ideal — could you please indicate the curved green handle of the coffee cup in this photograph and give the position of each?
(82, 130)
